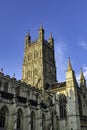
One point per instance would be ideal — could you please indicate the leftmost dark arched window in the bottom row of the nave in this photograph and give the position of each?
(3, 117)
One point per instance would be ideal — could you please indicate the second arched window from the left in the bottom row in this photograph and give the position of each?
(19, 119)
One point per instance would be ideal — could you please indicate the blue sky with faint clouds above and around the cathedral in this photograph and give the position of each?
(66, 19)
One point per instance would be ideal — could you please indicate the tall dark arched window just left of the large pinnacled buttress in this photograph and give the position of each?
(62, 101)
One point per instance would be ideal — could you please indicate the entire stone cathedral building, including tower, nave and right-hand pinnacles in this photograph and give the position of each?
(38, 101)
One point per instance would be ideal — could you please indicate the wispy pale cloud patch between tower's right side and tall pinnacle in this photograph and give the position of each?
(60, 50)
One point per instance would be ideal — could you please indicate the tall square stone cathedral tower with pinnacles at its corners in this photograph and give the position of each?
(38, 67)
